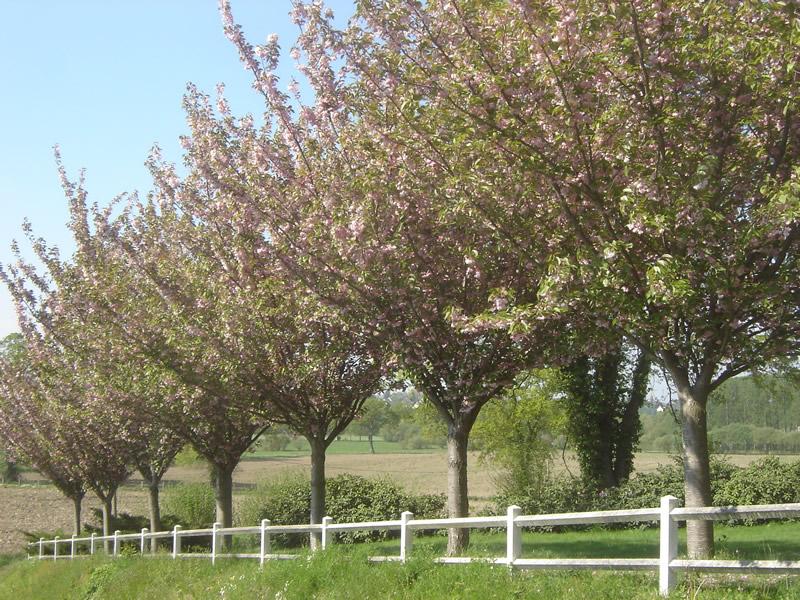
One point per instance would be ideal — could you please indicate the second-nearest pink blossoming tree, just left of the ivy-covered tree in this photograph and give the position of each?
(382, 232)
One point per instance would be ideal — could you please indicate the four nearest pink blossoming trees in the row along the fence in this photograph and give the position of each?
(476, 189)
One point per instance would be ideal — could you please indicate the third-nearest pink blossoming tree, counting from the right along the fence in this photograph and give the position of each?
(309, 369)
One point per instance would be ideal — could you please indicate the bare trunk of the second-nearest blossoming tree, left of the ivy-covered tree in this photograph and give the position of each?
(457, 498)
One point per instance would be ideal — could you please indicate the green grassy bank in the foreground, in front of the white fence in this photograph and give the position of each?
(345, 573)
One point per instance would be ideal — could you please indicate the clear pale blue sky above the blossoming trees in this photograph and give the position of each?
(104, 80)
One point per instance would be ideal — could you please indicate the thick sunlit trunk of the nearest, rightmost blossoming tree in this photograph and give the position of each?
(696, 469)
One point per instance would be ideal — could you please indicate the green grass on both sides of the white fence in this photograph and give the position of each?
(343, 572)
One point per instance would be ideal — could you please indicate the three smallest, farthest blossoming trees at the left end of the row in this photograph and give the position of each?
(76, 428)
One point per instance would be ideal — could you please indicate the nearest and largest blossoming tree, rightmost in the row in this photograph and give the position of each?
(664, 136)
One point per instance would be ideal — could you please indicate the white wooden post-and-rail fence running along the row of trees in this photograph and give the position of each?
(669, 514)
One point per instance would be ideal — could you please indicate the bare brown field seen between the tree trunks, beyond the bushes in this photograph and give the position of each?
(42, 507)
